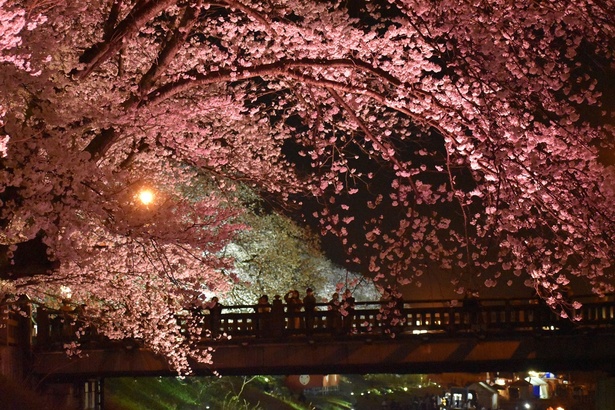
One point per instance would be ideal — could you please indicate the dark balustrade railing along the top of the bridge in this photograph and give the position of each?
(365, 319)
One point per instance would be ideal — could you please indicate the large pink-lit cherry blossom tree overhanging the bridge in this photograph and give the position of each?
(469, 136)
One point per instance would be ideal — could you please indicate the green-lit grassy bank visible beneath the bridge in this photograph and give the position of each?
(255, 392)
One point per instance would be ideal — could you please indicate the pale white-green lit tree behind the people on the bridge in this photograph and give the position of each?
(276, 254)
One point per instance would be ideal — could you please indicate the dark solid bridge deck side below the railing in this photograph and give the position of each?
(405, 354)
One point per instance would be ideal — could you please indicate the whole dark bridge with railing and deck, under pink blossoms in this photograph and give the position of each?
(423, 337)
